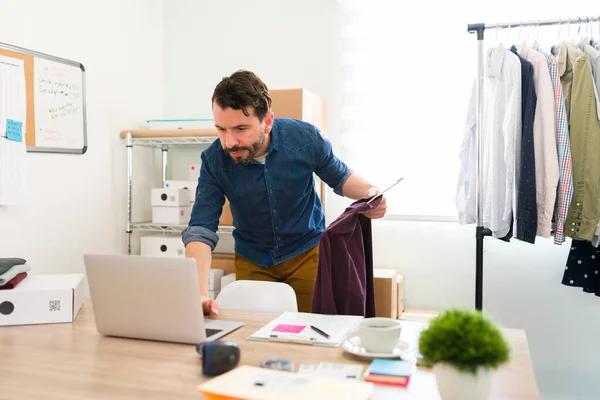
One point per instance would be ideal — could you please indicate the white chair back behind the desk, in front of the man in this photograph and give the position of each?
(257, 296)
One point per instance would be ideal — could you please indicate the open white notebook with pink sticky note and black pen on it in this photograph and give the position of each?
(295, 327)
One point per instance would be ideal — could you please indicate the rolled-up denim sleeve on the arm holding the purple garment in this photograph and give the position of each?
(330, 168)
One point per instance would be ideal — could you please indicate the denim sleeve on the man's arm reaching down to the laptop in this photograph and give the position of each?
(208, 206)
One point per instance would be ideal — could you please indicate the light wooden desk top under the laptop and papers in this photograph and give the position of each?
(72, 361)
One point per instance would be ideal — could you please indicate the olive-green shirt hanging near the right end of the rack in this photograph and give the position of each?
(577, 83)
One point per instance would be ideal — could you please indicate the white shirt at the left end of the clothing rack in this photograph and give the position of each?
(502, 127)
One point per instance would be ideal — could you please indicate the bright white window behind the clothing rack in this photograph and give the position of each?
(405, 76)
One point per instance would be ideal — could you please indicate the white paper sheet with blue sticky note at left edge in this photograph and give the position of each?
(13, 111)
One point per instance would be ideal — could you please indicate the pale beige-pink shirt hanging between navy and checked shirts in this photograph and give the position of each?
(544, 132)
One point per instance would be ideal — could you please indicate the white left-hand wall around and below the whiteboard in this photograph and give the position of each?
(77, 202)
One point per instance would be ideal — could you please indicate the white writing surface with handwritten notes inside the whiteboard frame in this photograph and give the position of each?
(58, 90)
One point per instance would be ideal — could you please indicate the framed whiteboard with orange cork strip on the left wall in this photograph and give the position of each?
(55, 120)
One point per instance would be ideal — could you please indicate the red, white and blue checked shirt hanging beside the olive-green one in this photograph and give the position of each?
(565, 179)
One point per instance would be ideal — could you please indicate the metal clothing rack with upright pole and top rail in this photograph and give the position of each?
(479, 29)
